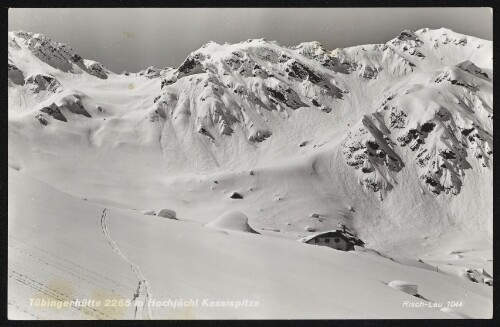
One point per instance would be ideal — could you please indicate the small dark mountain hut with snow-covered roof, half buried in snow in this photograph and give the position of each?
(336, 239)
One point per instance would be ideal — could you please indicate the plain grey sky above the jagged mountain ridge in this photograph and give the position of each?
(135, 38)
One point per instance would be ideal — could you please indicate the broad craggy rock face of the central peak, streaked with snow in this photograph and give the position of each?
(238, 85)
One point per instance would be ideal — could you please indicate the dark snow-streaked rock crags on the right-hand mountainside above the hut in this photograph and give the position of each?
(441, 146)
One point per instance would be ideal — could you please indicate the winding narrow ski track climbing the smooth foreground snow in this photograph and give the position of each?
(142, 294)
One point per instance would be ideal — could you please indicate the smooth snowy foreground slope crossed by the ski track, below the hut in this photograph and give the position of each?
(81, 250)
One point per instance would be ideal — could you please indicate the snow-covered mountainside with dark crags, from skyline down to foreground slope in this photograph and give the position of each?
(394, 140)
